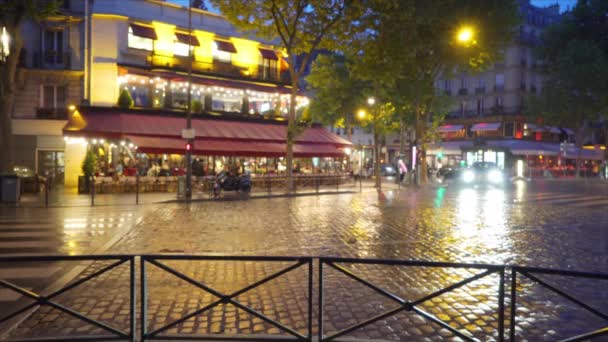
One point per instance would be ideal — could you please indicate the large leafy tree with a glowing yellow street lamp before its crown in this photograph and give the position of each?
(411, 42)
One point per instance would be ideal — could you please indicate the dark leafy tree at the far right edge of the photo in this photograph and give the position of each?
(575, 65)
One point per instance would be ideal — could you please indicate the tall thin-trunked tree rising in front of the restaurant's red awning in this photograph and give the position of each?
(301, 26)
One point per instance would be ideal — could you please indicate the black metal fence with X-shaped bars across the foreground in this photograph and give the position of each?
(315, 292)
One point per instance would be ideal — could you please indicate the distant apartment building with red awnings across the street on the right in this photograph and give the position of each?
(487, 122)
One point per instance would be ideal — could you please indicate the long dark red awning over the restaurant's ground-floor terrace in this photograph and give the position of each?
(162, 134)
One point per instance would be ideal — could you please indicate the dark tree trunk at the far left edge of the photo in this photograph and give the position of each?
(7, 98)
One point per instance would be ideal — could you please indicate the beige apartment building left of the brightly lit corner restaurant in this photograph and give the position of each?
(49, 78)
